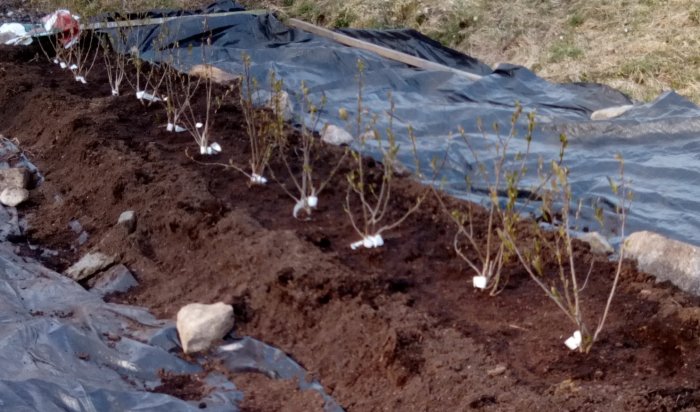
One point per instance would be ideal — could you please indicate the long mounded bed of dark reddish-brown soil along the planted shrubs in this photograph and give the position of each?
(398, 328)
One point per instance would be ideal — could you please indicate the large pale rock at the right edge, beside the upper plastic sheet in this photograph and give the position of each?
(666, 259)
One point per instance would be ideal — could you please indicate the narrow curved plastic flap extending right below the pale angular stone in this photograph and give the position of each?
(250, 355)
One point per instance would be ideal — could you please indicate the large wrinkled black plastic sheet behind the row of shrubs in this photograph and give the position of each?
(660, 141)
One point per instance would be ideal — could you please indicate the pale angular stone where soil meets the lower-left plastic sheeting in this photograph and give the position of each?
(200, 325)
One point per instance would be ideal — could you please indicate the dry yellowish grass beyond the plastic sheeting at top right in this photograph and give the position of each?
(639, 46)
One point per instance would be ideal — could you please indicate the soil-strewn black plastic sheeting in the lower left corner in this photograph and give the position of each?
(62, 348)
